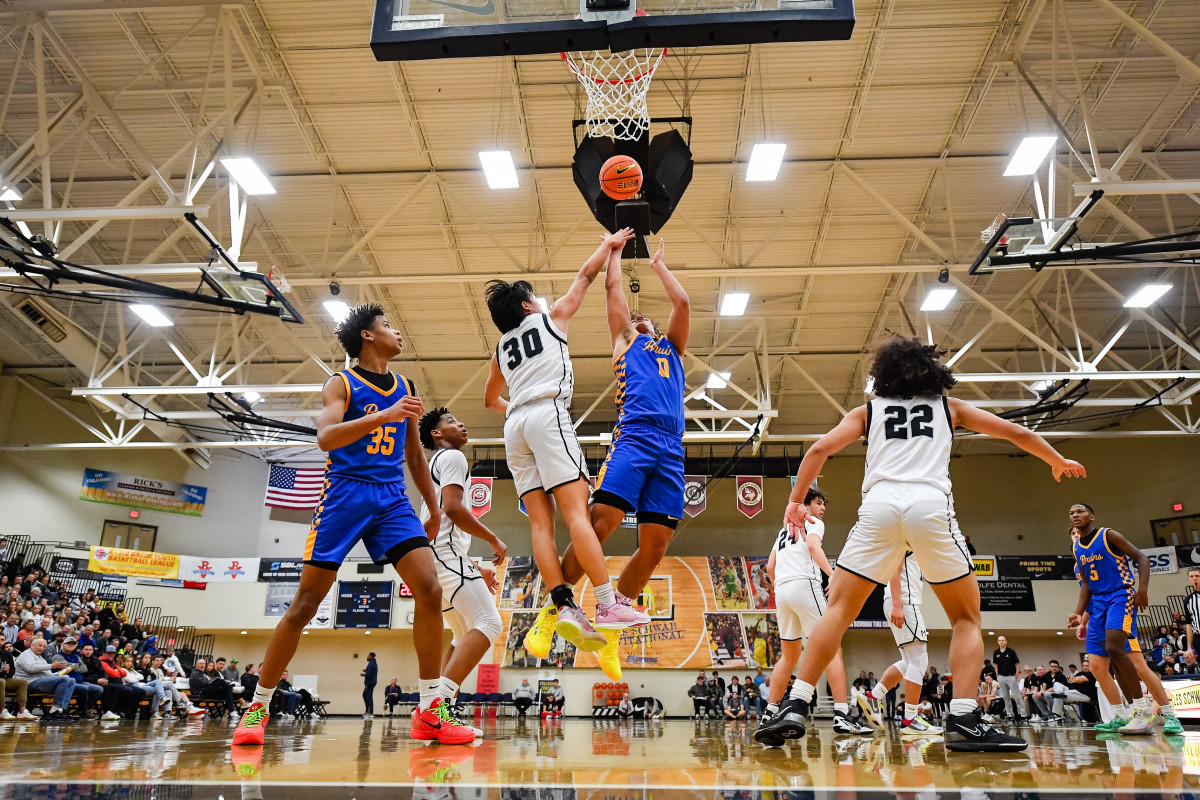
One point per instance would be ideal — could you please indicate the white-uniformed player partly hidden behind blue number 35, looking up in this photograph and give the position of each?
(467, 587)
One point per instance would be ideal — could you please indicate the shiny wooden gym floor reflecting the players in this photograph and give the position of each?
(572, 760)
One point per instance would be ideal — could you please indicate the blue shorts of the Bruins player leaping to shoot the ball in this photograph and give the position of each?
(644, 472)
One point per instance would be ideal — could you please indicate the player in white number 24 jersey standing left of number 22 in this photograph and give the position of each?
(796, 566)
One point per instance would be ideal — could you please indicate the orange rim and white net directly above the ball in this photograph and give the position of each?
(617, 85)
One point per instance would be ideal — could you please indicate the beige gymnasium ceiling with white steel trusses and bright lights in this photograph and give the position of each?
(897, 142)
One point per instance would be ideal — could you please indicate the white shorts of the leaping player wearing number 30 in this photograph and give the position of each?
(542, 448)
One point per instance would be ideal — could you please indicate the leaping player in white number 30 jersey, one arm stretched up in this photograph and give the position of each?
(544, 455)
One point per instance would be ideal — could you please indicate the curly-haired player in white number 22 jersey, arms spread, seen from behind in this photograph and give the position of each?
(908, 506)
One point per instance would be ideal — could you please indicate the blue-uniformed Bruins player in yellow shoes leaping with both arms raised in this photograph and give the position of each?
(645, 468)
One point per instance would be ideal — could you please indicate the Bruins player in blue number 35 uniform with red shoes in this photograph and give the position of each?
(365, 428)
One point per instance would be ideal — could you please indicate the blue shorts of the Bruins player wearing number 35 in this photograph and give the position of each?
(350, 512)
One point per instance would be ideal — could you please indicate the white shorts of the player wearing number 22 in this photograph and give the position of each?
(898, 518)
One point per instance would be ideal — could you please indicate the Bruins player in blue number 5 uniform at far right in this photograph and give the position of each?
(1106, 590)
